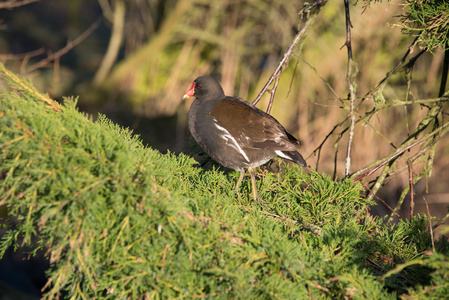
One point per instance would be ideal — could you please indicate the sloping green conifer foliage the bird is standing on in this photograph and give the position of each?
(119, 220)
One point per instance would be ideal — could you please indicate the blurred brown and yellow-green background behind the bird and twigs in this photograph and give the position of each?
(133, 60)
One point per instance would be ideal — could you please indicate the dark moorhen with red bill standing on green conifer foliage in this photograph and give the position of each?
(235, 133)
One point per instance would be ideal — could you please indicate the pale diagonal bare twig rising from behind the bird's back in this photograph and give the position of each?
(285, 59)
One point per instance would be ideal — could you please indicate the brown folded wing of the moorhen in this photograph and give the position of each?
(251, 127)
